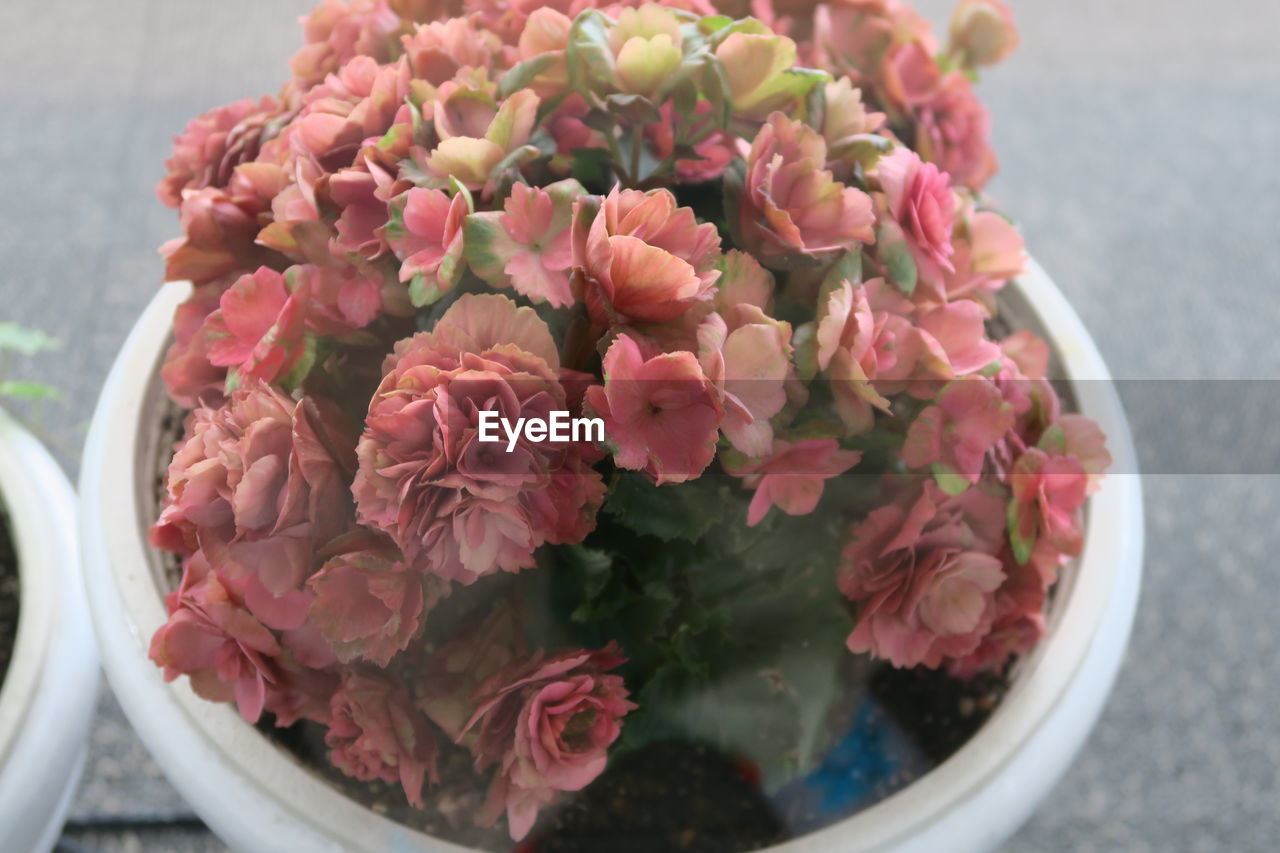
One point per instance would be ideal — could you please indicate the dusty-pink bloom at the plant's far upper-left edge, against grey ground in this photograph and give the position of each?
(213, 145)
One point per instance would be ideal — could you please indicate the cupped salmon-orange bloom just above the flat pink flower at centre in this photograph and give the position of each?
(644, 258)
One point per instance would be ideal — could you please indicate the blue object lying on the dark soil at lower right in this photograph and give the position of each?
(874, 760)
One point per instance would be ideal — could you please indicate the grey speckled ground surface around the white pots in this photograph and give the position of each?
(1139, 144)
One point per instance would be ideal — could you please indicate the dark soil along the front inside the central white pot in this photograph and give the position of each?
(683, 797)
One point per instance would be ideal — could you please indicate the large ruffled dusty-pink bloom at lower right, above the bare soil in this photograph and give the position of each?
(926, 574)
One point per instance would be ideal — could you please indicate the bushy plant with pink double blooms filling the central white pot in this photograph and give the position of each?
(755, 248)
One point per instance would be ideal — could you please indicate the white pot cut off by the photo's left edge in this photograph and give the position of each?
(51, 691)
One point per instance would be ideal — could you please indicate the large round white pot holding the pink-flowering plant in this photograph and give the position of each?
(258, 797)
